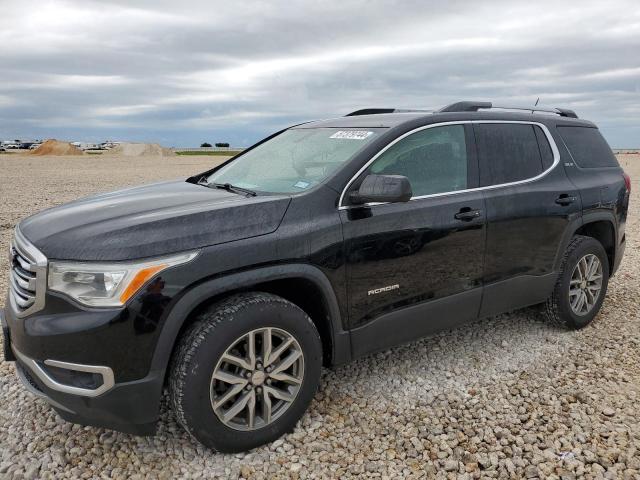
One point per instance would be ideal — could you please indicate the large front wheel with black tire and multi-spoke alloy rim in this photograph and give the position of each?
(224, 331)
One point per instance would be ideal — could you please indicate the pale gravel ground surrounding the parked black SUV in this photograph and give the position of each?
(505, 397)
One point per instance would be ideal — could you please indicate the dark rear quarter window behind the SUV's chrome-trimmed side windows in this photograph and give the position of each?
(588, 147)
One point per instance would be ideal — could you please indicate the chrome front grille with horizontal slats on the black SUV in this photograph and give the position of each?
(27, 277)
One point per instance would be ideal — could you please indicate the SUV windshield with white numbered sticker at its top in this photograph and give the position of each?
(295, 160)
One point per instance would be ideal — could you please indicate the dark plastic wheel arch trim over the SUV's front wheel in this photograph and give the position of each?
(302, 284)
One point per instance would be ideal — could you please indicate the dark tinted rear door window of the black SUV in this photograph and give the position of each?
(508, 152)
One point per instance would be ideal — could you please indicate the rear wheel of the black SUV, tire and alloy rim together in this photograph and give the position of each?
(581, 285)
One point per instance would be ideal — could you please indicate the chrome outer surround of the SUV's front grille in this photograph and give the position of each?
(38, 266)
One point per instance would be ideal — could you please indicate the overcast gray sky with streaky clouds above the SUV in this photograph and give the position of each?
(182, 72)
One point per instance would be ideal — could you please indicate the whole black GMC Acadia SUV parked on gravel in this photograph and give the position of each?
(324, 242)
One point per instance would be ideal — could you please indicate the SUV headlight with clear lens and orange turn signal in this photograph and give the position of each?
(107, 284)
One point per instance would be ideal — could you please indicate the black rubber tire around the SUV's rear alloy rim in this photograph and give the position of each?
(558, 307)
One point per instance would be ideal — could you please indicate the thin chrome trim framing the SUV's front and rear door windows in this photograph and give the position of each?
(552, 143)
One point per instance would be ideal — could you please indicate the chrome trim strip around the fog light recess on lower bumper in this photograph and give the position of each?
(105, 372)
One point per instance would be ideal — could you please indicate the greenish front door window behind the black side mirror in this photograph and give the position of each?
(434, 160)
